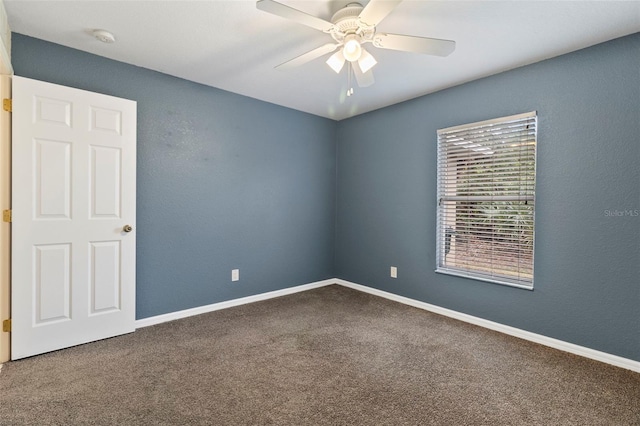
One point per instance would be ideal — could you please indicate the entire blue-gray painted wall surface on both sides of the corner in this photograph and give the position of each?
(228, 182)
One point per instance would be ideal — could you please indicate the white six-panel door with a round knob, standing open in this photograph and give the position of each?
(73, 201)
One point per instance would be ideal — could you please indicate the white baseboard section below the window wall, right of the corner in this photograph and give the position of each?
(512, 331)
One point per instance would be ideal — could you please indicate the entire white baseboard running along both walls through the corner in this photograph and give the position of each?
(512, 331)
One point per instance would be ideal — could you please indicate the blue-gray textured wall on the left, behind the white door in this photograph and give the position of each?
(224, 182)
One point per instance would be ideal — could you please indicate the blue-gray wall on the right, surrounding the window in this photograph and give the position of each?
(587, 259)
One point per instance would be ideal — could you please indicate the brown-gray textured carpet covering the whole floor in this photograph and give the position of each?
(331, 356)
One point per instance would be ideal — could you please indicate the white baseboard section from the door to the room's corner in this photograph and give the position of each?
(146, 322)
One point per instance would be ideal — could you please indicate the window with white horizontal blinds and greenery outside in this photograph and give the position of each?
(486, 200)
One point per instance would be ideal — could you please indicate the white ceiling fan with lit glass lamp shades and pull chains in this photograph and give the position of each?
(351, 27)
